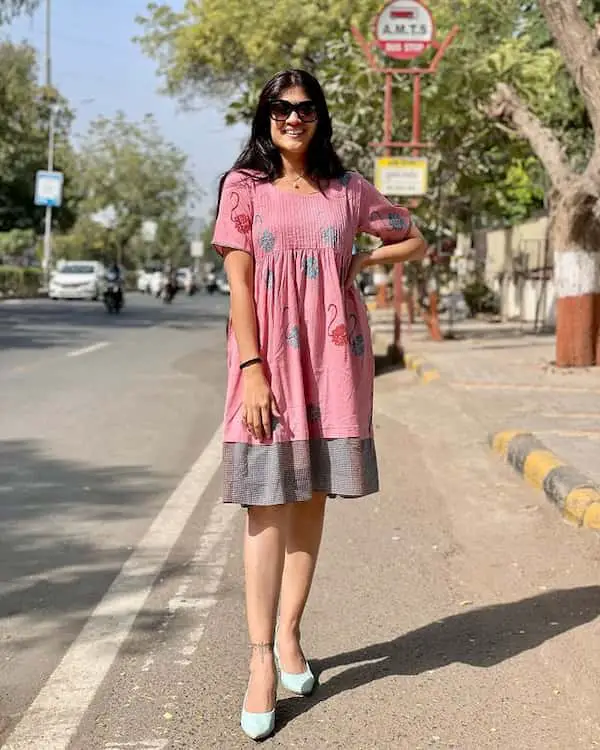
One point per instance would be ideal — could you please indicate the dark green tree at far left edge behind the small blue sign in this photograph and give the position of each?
(25, 110)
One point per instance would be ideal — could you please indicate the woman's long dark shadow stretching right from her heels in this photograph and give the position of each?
(481, 638)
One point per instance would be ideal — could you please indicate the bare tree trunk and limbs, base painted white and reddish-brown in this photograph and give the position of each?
(575, 208)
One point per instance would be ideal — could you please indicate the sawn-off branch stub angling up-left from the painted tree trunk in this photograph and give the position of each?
(506, 105)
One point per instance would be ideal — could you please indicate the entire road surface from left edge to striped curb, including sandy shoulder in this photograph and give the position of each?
(452, 610)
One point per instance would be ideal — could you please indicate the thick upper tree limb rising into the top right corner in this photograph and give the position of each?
(578, 43)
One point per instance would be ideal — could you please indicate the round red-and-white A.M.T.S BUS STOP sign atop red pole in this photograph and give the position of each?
(404, 29)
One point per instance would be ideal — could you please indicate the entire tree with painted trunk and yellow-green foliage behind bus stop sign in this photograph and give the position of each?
(504, 67)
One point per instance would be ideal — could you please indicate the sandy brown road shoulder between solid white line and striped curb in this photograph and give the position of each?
(452, 610)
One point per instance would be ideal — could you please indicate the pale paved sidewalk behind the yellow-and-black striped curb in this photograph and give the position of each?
(507, 382)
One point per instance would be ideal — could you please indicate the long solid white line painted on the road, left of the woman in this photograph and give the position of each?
(54, 716)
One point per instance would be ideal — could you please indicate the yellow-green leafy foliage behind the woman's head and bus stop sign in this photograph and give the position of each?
(204, 49)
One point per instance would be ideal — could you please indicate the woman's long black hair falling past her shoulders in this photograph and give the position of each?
(261, 158)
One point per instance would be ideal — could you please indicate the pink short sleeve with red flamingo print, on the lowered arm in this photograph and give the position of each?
(233, 227)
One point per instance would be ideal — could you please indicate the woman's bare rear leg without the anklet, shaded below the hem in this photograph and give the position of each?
(303, 538)
